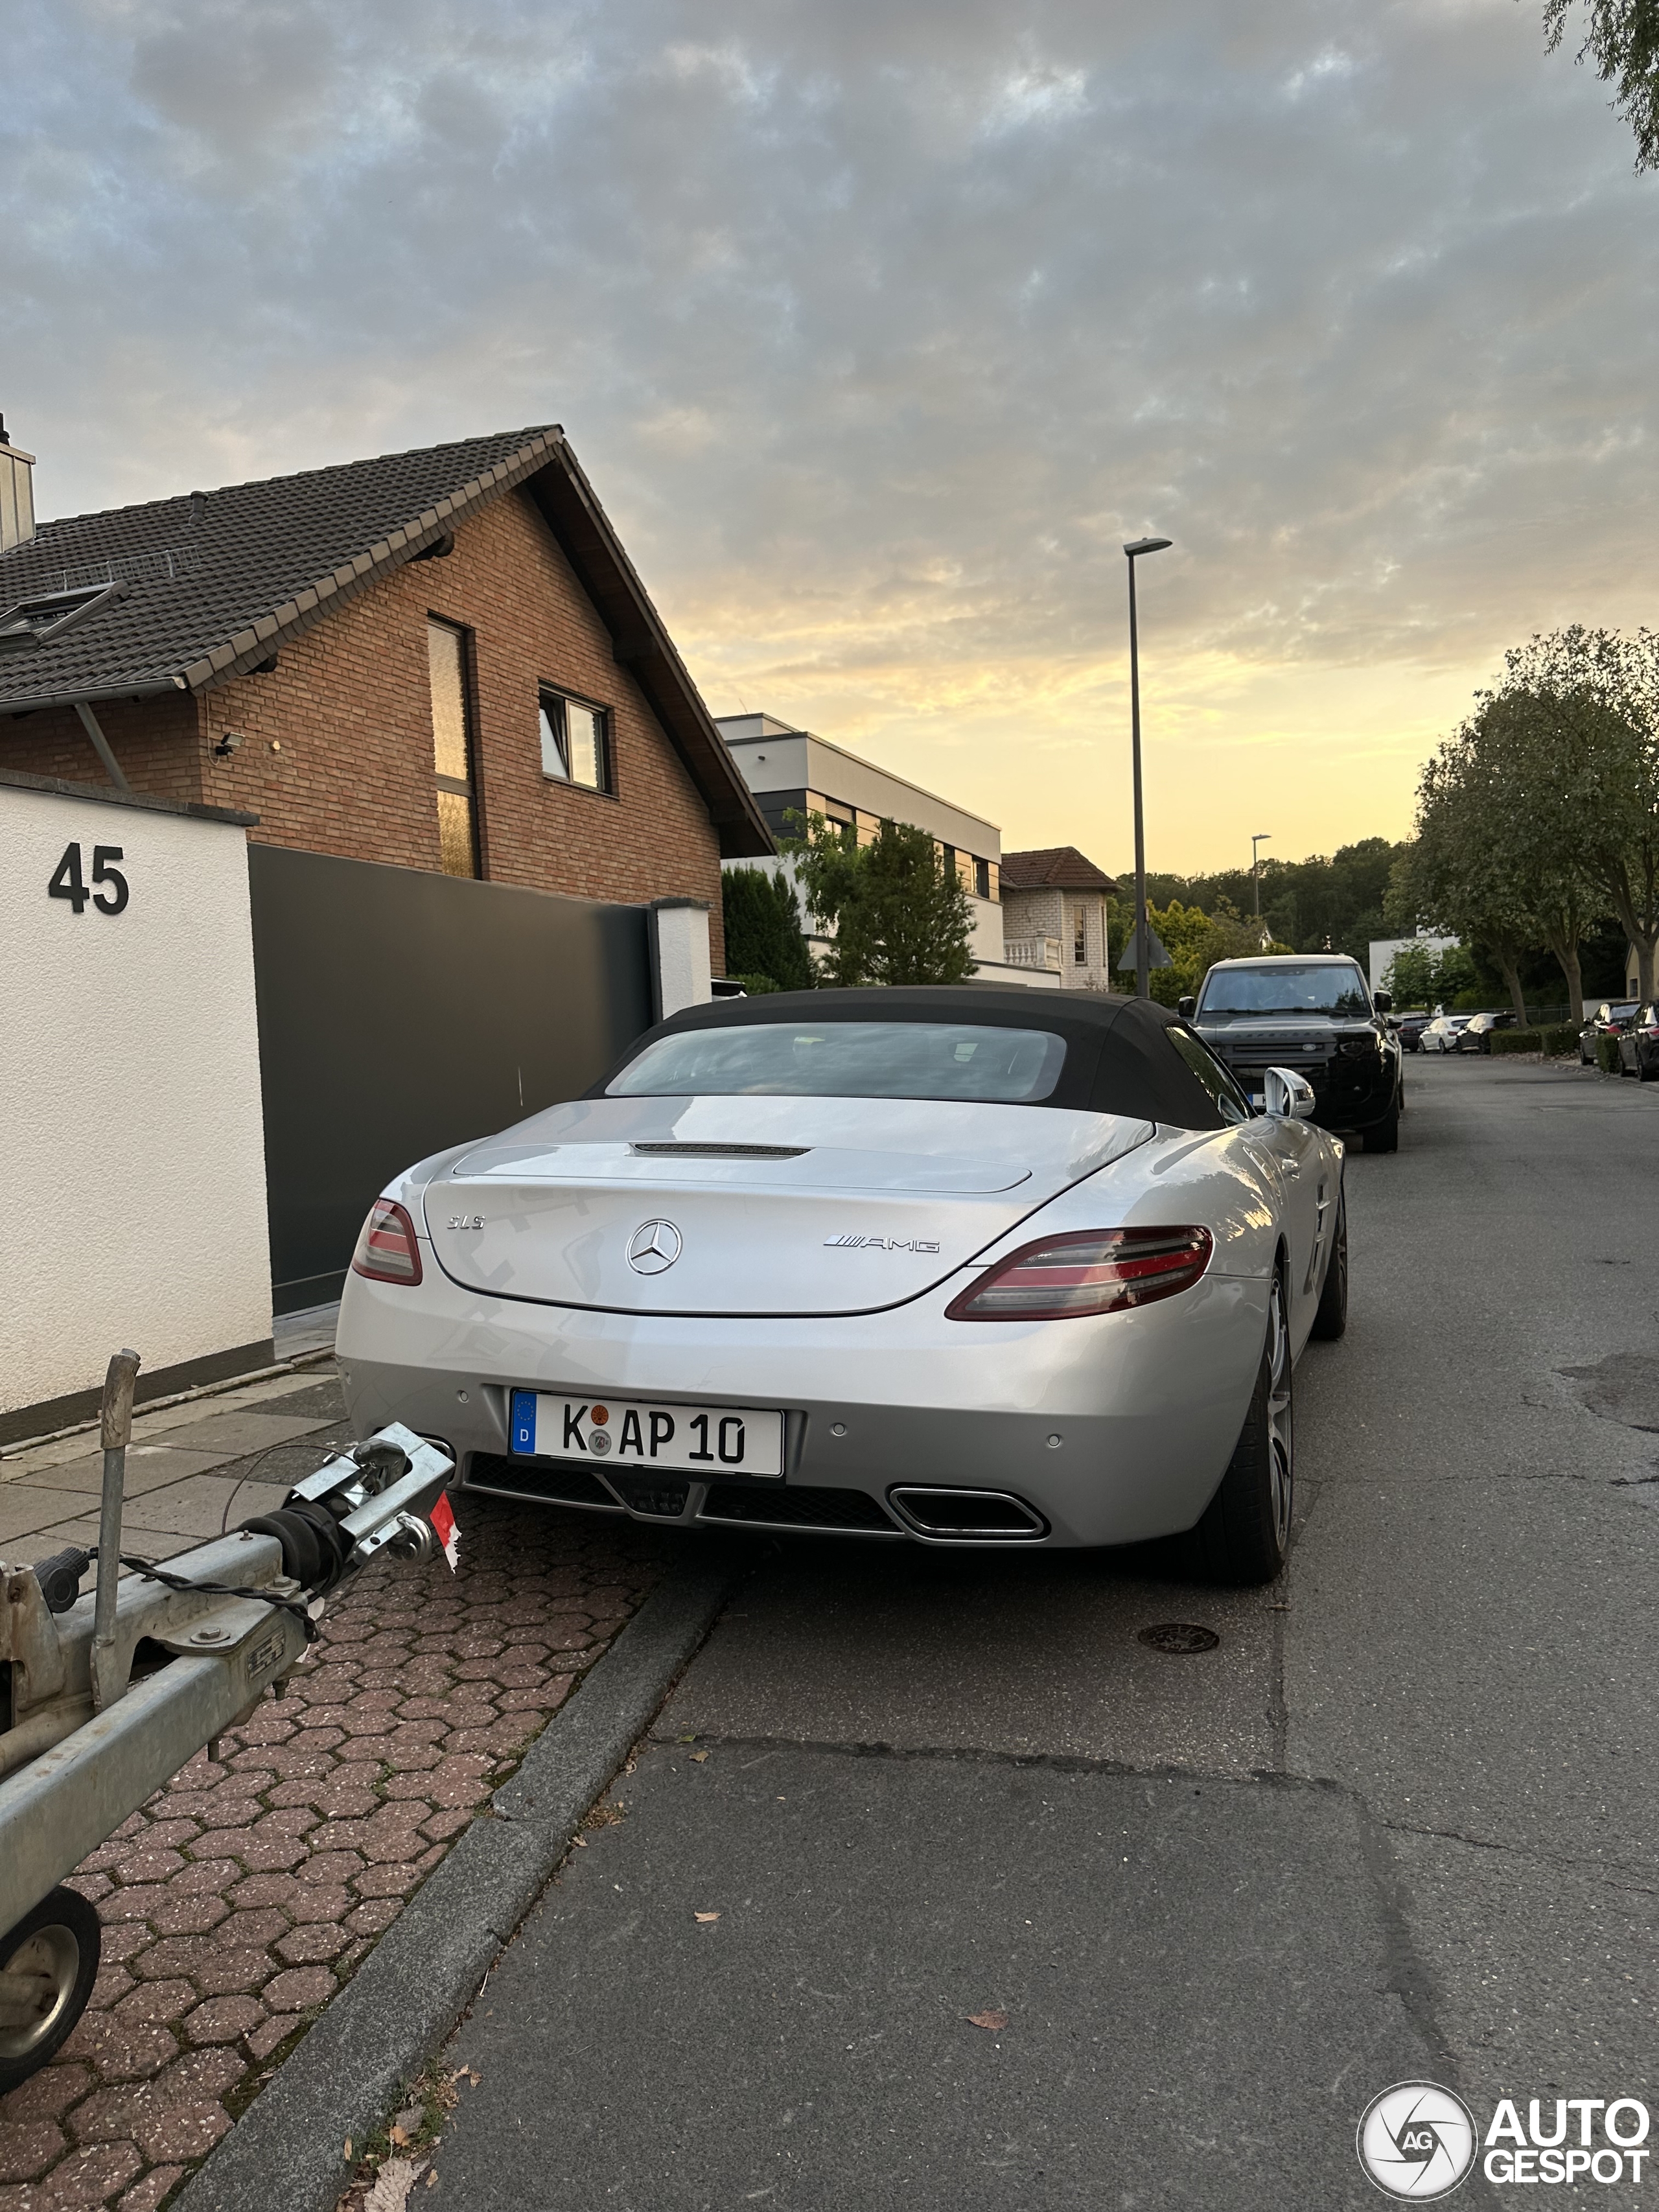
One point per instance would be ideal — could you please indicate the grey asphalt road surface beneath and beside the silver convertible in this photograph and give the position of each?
(1397, 1826)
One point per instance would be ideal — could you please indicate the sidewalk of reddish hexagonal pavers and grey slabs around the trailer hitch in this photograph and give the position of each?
(242, 1897)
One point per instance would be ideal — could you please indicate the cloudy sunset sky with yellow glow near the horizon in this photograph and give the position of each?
(881, 324)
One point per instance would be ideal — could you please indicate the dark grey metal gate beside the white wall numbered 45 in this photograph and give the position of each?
(404, 1012)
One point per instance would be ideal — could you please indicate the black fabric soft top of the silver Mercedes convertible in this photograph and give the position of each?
(1118, 1050)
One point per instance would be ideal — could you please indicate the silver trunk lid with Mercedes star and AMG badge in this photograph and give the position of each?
(766, 1204)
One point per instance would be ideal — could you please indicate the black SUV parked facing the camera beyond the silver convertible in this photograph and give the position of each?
(1308, 1012)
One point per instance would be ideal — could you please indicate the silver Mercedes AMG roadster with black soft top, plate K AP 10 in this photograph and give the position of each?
(961, 1266)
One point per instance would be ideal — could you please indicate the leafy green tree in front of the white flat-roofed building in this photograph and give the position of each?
(897, 915)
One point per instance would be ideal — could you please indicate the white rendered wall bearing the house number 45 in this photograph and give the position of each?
(129, 1100)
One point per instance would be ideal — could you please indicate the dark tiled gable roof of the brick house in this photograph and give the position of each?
(205, 587)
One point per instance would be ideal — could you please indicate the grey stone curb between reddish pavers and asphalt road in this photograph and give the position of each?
(286, 2153)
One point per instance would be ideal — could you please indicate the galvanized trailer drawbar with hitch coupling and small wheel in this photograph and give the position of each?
(107, 1698)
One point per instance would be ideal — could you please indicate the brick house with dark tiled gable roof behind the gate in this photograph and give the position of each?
(439, 660)
